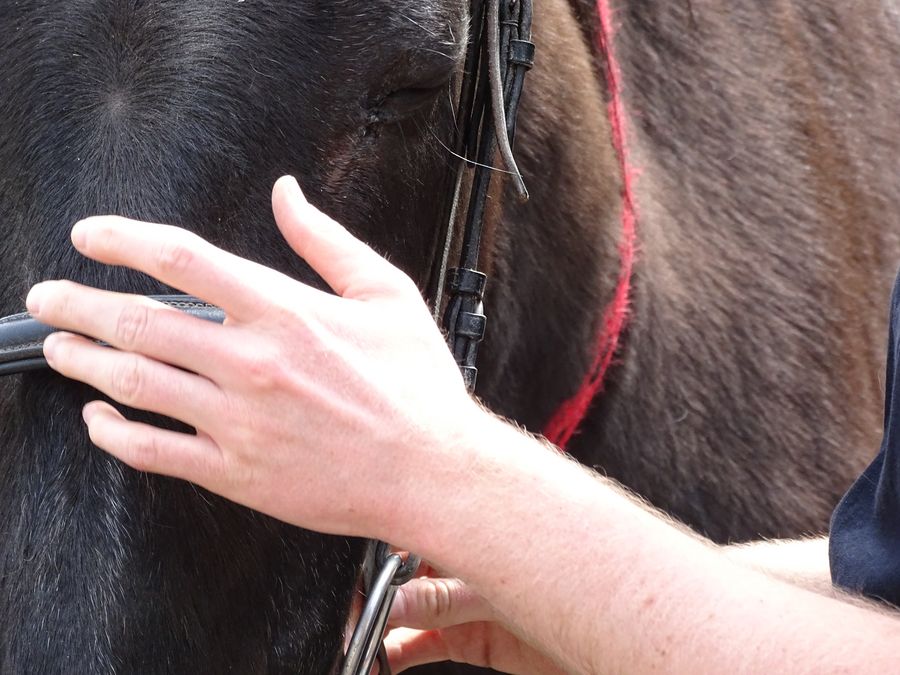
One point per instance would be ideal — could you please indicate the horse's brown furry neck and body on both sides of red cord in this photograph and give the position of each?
(766, 172)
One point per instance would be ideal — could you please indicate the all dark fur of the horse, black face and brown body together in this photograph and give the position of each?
(747, 392)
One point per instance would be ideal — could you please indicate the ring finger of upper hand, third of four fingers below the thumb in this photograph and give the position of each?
(135, 380)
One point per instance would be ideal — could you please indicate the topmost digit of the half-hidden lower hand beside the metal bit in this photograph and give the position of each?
(429, 604)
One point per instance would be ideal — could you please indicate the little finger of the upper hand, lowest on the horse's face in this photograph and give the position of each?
(148, 448)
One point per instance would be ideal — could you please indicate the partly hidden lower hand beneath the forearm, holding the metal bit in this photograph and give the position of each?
(437, 619)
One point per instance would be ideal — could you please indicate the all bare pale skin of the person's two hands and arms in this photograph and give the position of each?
(546, 566)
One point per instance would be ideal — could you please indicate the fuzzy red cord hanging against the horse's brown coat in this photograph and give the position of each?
(568, 418)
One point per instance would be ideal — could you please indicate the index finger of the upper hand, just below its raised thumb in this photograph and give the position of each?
(180, 259)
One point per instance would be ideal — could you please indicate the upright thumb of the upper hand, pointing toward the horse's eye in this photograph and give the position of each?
(350, 267)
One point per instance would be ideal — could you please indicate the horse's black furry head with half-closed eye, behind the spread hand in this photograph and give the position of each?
(186, 113)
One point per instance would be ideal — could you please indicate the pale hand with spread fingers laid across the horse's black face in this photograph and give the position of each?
(317, 409)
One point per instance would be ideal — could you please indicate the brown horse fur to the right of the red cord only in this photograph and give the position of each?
(766, 171)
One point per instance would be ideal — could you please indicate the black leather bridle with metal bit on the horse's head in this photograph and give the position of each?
(500, 53)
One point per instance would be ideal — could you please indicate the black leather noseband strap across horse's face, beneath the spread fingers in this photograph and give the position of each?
(22, 337)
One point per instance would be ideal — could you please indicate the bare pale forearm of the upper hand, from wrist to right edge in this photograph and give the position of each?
(613, 587)
